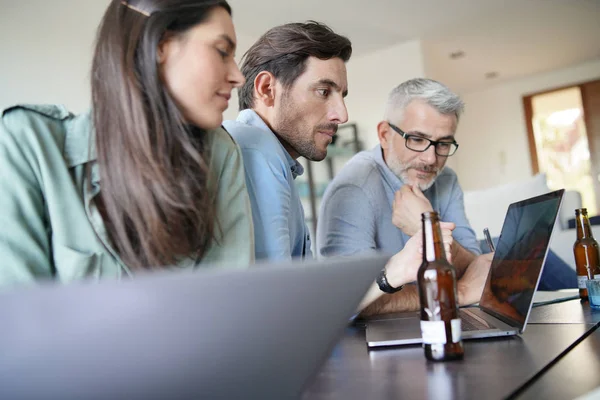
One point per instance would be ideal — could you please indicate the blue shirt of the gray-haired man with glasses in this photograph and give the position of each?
(356, 211)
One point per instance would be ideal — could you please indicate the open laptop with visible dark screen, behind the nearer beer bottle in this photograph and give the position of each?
(511, 283)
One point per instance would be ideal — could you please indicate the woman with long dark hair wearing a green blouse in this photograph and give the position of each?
(148, 179)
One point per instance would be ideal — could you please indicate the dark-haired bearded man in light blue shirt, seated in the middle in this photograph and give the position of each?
(291, 105)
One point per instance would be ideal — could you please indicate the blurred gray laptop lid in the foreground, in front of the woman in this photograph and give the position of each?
(253, 333)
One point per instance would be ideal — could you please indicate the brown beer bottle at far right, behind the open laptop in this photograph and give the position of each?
(586, 252)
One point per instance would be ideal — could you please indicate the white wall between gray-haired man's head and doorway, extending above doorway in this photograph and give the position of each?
(492, 133)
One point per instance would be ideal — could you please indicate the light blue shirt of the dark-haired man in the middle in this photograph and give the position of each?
(280, 231)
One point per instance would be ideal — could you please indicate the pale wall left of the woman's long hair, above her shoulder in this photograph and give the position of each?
(46, 51)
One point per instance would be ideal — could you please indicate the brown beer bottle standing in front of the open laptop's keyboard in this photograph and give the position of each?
(436, 278)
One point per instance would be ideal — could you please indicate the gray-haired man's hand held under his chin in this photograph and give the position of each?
(409, 204)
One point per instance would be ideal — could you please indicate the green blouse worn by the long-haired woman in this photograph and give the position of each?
(50, 227)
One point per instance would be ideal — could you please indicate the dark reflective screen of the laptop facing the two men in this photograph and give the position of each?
(520, 254)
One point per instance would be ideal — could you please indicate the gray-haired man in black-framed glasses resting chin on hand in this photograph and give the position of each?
(376, 201)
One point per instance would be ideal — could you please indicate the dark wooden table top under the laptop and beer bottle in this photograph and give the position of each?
(492, 369)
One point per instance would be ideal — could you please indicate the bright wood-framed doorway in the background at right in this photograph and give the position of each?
(564, 139)
